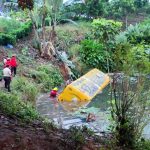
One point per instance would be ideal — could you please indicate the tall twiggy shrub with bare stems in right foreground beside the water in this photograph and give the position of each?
(129, 109)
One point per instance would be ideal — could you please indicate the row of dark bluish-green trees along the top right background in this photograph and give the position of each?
(101, 8)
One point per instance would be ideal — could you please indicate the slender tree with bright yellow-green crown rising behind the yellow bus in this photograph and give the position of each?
(104, 31)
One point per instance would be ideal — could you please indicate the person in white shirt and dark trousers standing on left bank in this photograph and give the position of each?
(7, 77)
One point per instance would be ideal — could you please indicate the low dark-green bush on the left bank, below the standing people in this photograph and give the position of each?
(11, 104)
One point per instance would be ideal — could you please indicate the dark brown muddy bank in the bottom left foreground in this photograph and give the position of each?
(15, 135)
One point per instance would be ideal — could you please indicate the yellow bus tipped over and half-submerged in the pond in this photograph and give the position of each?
(84, 89)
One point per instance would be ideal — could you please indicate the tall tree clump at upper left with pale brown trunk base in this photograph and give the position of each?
(48, 9)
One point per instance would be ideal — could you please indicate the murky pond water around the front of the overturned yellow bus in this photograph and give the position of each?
(65, 118)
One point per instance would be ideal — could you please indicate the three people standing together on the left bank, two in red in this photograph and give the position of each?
(9, 70)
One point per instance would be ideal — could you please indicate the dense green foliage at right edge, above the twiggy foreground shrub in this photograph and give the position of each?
(131, 48)
